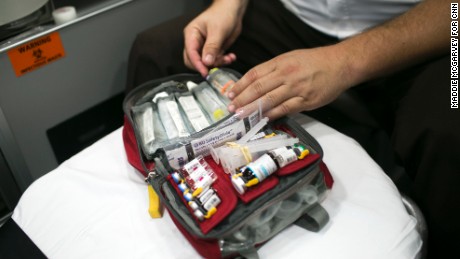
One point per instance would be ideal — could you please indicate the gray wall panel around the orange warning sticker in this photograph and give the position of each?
(93, 70)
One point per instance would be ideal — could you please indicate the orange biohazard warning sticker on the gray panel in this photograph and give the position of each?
(36, 53)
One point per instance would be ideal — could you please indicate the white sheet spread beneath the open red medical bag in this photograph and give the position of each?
(95, 206)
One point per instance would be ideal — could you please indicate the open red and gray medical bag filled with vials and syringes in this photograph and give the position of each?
(227, 182)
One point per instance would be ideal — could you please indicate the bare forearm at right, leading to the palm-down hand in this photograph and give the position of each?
(418, 35)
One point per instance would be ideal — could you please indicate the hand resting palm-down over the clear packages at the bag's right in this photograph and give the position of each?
(295, 81)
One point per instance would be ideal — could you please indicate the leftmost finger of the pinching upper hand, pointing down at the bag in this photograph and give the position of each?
(192, 52)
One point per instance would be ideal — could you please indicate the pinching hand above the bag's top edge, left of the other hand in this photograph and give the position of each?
(210, 34)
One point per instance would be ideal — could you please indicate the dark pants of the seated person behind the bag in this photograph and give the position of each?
(410, 108)
